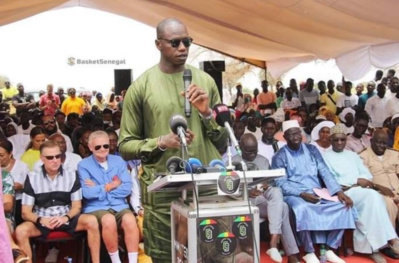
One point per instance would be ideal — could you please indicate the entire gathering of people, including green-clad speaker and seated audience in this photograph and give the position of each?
(62, 166)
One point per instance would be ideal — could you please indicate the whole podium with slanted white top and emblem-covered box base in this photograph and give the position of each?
(213, 228)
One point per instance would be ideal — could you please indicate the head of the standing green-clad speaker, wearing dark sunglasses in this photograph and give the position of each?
(171, 54)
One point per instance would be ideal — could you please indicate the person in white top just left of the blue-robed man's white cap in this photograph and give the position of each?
(268, 145)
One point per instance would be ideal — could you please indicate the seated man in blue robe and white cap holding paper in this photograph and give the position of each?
(316, 222)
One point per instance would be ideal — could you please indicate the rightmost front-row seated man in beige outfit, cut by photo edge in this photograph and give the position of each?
(383, 164)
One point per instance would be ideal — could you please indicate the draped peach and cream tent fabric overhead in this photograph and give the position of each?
(282, 33)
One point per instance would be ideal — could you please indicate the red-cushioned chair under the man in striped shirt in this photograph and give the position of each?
(60, 236)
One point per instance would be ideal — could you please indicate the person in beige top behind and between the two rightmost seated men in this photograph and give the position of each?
(358, 140)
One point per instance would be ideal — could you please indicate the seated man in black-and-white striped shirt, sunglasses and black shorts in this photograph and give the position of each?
(44, 211)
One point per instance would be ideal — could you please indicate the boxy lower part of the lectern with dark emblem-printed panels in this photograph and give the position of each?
(223, 235)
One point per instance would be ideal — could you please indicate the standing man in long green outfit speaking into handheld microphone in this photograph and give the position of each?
(145, 132)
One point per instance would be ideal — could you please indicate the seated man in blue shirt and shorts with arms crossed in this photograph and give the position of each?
(106, 184)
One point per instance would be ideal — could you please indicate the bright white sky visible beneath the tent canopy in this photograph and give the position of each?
(39, 48)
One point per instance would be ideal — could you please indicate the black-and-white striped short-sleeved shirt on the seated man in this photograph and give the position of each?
(51, 197)
